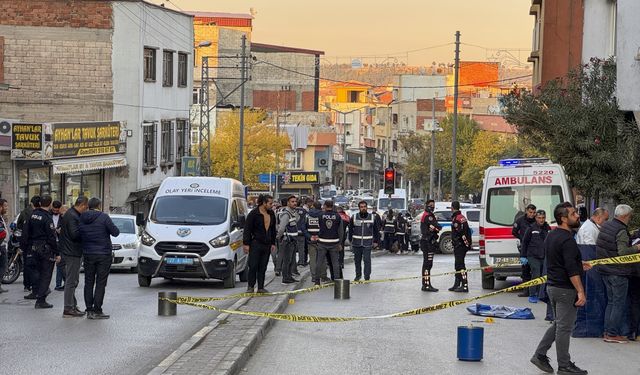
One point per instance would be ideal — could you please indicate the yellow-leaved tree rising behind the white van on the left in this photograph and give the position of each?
(260, 146)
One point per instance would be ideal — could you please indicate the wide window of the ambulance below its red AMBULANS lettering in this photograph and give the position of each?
(505, 204)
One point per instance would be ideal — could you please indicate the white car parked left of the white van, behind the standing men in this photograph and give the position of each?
(125, 246)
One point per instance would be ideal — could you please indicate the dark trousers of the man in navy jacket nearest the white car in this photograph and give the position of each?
(96, 273)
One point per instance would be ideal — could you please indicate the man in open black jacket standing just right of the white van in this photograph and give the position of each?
(259, 241)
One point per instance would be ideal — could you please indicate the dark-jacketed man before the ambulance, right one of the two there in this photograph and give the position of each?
(533, 250)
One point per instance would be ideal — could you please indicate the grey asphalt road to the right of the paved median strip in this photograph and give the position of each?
(418, 344)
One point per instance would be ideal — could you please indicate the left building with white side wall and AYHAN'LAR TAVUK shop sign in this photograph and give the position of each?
(107, 89)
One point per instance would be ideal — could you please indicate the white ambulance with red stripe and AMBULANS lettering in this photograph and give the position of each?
(508, 188)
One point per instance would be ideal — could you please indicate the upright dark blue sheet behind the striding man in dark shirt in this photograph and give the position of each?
(590, 320)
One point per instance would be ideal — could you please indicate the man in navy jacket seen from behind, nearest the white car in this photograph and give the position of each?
(96, 229)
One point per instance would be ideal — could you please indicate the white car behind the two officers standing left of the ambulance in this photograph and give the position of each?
(444, 219)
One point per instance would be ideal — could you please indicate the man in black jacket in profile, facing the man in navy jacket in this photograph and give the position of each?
(70, 246)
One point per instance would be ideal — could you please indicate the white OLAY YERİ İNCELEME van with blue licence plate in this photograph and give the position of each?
(194, 230)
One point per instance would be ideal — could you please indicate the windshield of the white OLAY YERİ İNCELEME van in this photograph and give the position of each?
(189, 210)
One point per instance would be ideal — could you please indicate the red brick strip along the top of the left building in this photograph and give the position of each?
(57, 13)
